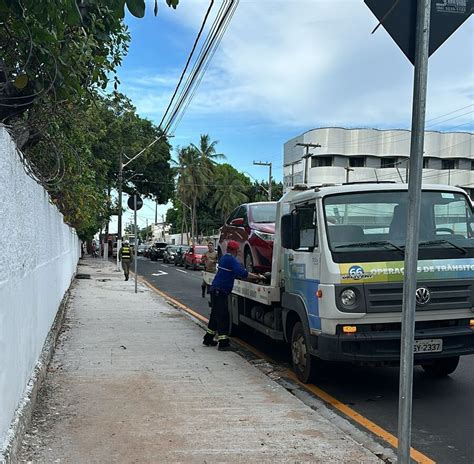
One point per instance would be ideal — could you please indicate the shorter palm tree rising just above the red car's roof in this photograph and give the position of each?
(229, 192)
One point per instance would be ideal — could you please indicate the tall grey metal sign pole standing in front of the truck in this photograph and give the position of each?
(413, 225)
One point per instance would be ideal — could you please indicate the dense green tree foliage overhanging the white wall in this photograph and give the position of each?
(54, 58)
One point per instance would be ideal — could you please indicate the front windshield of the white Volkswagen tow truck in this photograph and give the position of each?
(371, 226)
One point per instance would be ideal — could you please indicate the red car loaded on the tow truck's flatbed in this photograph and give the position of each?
(252, 225)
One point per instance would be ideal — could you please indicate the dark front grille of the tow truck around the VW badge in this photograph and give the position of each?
(382, 298)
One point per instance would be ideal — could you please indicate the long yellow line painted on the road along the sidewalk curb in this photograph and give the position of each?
(366, 423)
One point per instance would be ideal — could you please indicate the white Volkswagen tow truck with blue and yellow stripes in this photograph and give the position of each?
(336, 284)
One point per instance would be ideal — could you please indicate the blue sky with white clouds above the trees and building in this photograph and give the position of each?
(285, 67)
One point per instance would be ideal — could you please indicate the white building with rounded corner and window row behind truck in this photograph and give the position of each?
(355, 155)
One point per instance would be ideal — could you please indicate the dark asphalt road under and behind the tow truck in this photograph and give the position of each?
(443, 409)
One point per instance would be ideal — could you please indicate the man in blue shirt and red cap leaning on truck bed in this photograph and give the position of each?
(227, 271)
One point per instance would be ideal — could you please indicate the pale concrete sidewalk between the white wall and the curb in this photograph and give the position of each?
(130, 382)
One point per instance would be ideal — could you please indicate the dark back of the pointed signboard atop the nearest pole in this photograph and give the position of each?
(398, 17)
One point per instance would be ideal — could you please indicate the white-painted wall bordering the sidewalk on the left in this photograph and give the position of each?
(38, 257)
